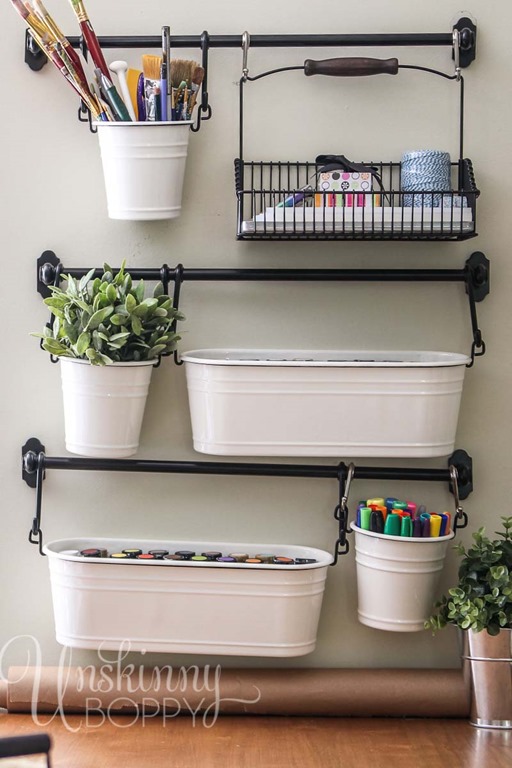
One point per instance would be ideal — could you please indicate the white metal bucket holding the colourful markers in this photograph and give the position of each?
(397, 578)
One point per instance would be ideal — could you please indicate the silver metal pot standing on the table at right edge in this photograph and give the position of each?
(488, 659)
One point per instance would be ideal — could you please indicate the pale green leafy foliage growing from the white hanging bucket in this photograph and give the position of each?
(108, 319)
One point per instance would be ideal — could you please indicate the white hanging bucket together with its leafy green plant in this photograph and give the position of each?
(108, 336)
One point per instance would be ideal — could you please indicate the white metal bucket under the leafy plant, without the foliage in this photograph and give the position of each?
(104, 406)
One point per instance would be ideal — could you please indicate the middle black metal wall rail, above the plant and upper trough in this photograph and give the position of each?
(475, 275)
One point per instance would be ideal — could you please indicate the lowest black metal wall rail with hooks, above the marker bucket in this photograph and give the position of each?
(459, 475)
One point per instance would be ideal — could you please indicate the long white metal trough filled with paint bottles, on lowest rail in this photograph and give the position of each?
(183, 606)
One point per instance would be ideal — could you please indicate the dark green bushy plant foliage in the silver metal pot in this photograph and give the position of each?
(483, 597)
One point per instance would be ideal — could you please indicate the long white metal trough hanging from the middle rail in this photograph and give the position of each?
(324, 403)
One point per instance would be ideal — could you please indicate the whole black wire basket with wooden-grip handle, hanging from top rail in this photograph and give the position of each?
(332, 198)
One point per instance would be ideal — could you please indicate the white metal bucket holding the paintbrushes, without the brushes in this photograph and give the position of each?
(144, 168)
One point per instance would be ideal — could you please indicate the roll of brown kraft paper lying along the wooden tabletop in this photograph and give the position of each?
(338, 692)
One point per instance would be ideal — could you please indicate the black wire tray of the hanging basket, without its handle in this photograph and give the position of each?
(285, 201)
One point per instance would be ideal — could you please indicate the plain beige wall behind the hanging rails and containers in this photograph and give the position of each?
(53, 198)
